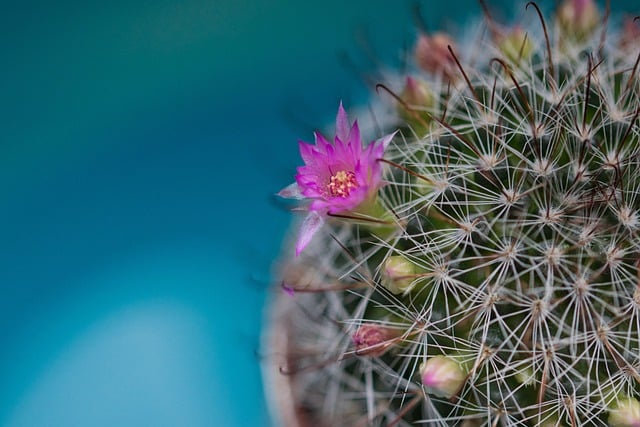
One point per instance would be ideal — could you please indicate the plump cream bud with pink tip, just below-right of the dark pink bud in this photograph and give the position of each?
(443, 376)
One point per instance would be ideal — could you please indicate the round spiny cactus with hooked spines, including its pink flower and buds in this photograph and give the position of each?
(481, 266)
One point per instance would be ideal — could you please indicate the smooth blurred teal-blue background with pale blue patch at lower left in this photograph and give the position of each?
(140, 143)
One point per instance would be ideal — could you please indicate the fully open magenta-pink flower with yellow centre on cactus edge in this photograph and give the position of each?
(337, 177)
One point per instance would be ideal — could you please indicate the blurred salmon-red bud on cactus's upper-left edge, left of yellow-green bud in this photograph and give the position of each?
(433, 55)
